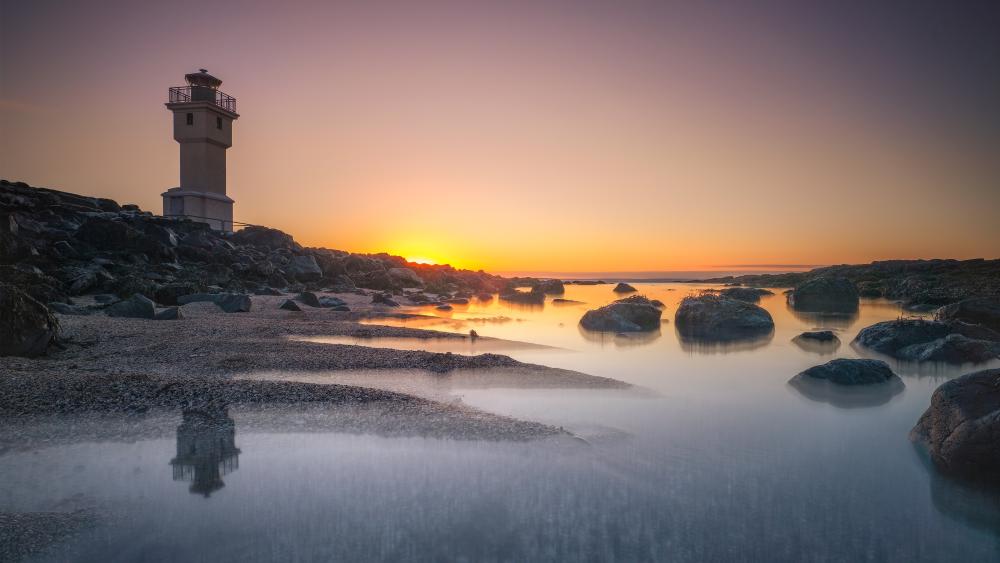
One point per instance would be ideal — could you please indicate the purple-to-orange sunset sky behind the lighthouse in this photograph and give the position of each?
(538, 136)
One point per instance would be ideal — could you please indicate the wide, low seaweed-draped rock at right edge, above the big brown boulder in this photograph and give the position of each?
(918, 340)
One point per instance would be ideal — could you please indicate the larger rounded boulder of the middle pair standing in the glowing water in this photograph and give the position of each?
(711, 316)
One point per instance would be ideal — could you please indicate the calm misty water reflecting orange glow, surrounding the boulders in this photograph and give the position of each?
(722, 460)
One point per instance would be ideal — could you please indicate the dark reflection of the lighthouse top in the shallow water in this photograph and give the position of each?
(206, 449)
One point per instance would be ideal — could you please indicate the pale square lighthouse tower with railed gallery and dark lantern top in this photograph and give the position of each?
(203, 125)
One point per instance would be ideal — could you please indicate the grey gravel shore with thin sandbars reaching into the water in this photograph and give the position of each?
(125, 365)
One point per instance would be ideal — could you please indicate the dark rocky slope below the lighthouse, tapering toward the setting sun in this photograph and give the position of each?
(57, 245)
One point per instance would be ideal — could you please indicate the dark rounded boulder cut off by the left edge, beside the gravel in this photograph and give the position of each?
(27, 328)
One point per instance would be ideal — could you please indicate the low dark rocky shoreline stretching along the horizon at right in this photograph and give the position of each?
(919, 284)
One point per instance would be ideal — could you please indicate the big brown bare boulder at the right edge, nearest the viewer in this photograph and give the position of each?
(961, 428)
